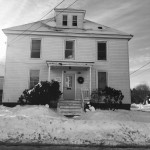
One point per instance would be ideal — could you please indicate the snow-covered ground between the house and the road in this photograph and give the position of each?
(39, 124)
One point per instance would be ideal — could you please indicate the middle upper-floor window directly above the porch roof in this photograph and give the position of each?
(69, 50)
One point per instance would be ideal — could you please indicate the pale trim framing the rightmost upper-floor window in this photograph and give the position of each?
(102, 41)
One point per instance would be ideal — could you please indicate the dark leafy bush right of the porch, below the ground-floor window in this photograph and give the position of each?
(110, 96)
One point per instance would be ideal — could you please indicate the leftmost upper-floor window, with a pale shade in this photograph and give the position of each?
(35, 48)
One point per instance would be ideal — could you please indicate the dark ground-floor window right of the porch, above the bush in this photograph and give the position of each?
(102, 80)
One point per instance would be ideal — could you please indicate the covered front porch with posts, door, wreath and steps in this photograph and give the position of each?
(75, 78)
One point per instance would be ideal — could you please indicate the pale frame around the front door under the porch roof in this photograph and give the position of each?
(71, 72)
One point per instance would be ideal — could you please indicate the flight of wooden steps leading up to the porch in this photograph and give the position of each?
(70, 107)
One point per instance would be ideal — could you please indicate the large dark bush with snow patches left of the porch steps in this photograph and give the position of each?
(41, 94)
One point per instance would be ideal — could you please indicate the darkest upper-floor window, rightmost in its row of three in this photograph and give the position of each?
(101, 50)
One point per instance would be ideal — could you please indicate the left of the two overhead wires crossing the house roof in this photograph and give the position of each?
(36, 22)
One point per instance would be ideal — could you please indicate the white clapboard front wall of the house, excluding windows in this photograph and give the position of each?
(18, 63)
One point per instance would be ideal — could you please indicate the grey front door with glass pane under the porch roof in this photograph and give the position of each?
(69, 86)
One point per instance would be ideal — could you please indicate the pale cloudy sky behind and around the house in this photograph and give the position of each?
(130, 16)
